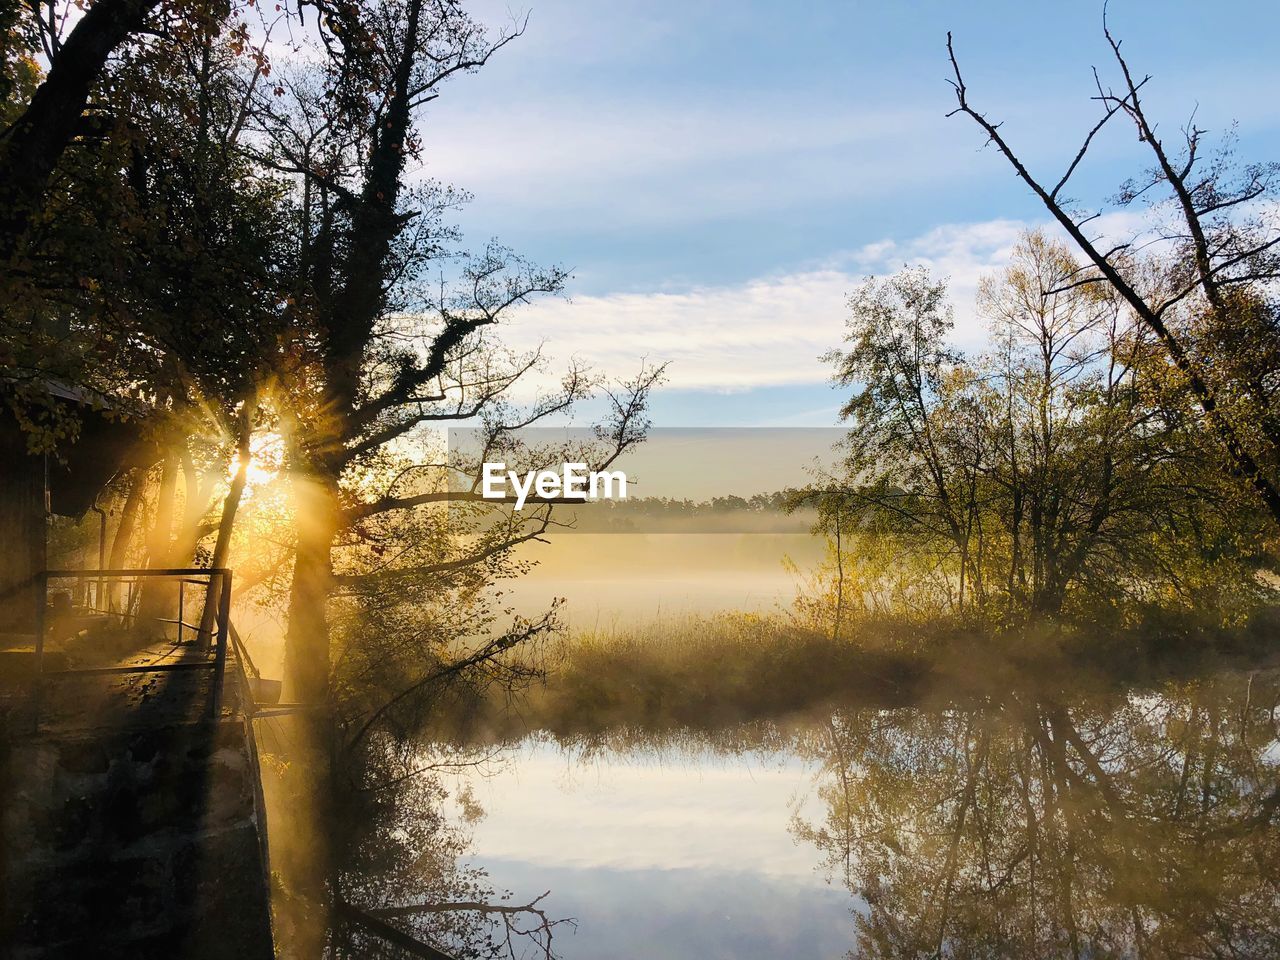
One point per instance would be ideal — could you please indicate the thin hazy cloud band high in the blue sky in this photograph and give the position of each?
(634, 162)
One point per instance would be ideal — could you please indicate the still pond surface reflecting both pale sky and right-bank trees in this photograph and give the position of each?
(1116, 825)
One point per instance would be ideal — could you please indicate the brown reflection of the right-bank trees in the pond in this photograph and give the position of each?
(1050, 826)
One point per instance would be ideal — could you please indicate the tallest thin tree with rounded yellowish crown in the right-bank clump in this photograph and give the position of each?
(1078, 446)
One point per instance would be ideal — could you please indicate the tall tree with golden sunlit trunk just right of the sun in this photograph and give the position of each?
(392, 350)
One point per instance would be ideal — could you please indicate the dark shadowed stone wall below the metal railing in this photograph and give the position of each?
(134, 843)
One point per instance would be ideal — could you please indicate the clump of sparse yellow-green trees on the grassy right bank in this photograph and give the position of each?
(1052, 474)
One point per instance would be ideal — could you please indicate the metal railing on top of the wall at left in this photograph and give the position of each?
(212, 579)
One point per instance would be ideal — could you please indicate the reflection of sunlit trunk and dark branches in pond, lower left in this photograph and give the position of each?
(395, 862)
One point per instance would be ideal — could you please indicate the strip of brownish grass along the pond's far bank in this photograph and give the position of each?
(708, 673)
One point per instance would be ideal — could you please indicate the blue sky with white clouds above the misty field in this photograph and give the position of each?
(719, 176)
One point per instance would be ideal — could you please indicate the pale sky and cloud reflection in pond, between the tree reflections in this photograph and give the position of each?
(660, 851)
